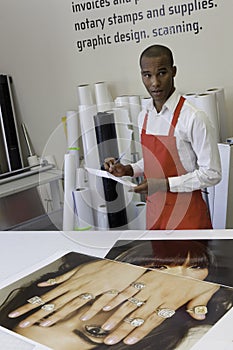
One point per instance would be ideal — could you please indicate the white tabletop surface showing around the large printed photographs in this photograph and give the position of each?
(19, 251)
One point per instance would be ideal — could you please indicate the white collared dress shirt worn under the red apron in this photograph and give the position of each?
(196, 143)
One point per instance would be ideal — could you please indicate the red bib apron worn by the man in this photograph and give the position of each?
(168, 210)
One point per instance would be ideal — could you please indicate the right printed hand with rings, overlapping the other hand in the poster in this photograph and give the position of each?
(161, 294)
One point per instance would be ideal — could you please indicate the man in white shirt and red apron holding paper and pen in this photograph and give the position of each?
(180, 153)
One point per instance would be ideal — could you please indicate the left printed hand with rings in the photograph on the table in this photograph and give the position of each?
(72, 290)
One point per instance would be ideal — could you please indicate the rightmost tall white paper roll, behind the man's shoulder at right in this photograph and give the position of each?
(222, 113)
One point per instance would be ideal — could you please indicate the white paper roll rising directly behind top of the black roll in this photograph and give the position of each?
(103, 97)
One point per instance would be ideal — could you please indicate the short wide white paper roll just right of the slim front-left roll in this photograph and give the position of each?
(84, 219)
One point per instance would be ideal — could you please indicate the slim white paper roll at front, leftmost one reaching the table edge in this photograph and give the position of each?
(69, 187)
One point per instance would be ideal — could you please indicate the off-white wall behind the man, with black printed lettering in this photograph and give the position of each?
(38, 49)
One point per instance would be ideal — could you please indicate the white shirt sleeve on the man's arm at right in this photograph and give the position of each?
(201, 136)
